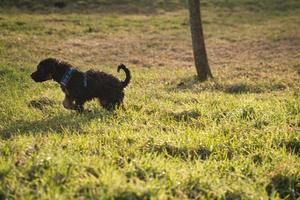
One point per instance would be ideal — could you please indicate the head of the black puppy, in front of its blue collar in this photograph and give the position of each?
(45, 70)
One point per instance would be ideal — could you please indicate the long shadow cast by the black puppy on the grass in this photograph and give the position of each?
(59, 124)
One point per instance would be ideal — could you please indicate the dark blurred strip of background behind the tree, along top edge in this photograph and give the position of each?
(145, 5)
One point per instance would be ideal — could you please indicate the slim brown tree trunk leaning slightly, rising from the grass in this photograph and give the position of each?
(200, 56)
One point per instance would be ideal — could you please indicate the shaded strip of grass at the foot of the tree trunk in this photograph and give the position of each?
(193, 84)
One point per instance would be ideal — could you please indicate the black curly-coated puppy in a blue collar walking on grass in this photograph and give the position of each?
(80, 87)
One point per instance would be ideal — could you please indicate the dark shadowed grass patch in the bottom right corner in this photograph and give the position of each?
(288, 187)
